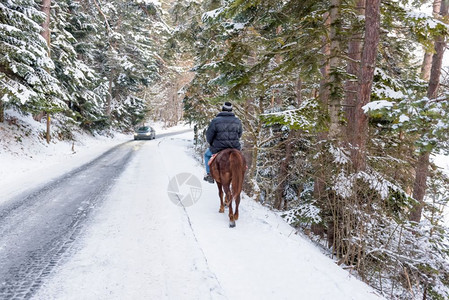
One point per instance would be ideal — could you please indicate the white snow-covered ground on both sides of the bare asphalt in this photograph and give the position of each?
(140, 245)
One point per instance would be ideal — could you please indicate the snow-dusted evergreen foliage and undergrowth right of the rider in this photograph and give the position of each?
(268, 58)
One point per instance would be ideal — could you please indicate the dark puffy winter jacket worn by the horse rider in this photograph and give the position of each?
(224, 132)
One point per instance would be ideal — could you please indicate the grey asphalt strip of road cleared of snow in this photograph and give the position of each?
(39, 226)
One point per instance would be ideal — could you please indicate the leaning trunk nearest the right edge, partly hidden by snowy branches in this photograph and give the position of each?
(422, 167)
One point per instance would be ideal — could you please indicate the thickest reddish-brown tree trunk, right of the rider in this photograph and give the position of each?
(368, 63)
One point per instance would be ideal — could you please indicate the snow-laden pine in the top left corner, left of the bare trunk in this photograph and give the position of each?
(25, 80)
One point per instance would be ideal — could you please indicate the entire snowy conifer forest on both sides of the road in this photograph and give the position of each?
(344, 104)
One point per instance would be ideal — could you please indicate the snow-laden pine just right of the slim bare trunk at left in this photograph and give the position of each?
(70, 26)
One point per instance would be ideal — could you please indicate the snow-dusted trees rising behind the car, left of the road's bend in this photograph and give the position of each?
(128, 53)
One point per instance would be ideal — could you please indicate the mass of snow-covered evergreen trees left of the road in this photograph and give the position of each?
(102, 56)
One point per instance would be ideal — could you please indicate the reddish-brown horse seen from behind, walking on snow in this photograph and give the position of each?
(228, 169)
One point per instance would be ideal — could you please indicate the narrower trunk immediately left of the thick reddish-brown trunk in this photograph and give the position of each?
(355, 56)
